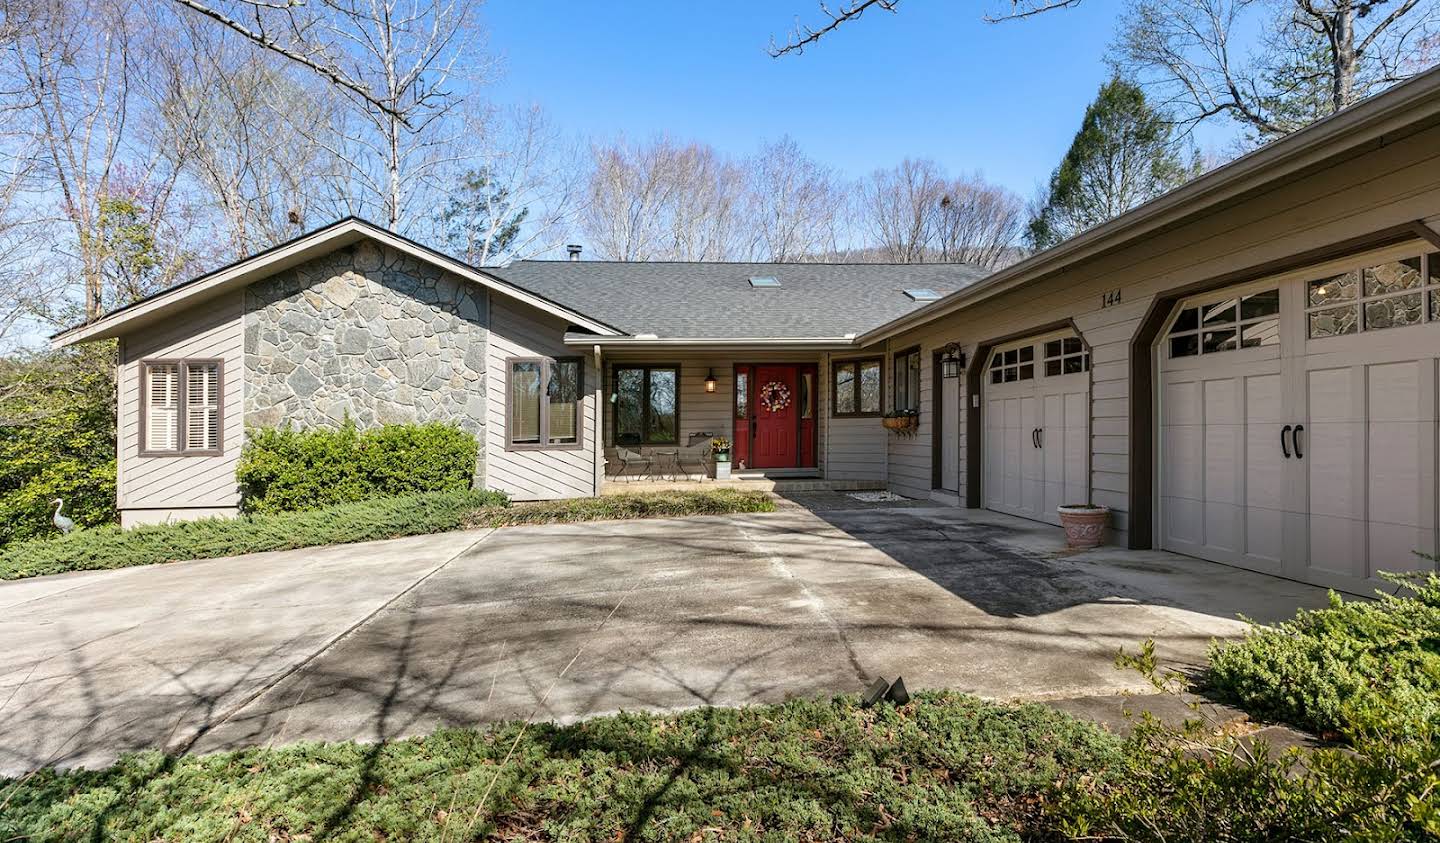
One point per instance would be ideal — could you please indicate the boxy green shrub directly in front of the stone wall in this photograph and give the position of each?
(286, 470)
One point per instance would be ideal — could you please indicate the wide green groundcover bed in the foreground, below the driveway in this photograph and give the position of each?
(945, 767)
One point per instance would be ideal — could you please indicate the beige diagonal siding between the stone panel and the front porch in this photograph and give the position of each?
(518, 331)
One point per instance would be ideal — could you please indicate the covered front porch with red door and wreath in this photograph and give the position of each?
(666, 410)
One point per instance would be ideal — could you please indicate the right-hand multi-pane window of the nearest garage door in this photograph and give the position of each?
(1372, 299)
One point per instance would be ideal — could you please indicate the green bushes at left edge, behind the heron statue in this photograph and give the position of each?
(57, 440)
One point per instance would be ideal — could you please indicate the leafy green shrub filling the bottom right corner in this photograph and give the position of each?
(1192, 785)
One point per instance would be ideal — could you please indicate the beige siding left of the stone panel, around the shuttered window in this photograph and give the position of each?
(212, 331)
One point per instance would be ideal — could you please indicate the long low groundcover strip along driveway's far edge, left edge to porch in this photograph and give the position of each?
(390, 518)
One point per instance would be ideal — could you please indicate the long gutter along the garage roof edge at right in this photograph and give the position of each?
(1402, 106)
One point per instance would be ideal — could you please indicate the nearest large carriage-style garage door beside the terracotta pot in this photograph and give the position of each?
(1298, 421)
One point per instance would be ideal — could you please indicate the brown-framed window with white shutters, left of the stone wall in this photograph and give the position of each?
(182, 407)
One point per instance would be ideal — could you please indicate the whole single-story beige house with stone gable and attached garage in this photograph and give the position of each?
(1246, 370)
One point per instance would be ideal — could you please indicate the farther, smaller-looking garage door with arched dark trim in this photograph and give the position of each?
(1036, 419)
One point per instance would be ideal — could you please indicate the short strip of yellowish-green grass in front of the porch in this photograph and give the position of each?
(656, 505)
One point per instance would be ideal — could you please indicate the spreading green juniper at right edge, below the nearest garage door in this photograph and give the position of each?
(1357, 665)
